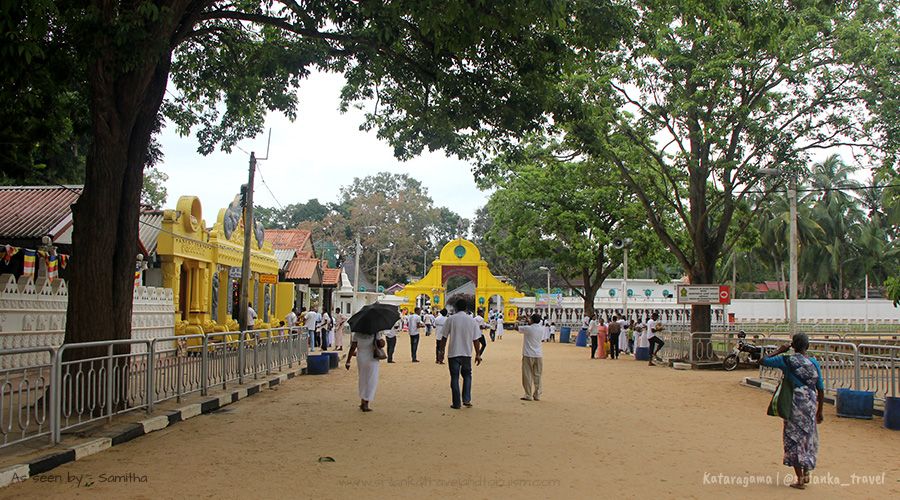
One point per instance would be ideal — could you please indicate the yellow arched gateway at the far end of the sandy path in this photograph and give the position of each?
(461, 257)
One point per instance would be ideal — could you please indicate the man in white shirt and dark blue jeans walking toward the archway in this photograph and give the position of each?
(462, 337)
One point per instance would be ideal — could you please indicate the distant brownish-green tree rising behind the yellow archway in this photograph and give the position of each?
(390, 211)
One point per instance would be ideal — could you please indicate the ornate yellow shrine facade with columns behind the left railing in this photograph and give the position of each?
(202, 267)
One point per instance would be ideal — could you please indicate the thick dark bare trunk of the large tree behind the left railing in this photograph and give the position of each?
(104, 241)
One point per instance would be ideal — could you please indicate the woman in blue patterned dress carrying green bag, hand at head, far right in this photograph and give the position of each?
(801, 436)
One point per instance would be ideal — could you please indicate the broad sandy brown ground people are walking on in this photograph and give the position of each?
(604, 428)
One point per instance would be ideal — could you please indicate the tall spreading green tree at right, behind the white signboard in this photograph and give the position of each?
(704, 94)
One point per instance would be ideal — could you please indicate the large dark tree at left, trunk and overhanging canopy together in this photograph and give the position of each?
(230, 62)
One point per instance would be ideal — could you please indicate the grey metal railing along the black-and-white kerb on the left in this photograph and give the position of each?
(75, 384)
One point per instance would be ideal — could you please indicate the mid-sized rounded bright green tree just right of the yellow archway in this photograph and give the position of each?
(567, 213)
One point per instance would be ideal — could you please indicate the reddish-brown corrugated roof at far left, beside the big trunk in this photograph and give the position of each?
(34, 211)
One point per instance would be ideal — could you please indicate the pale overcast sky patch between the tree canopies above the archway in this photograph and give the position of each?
(311, 157)
